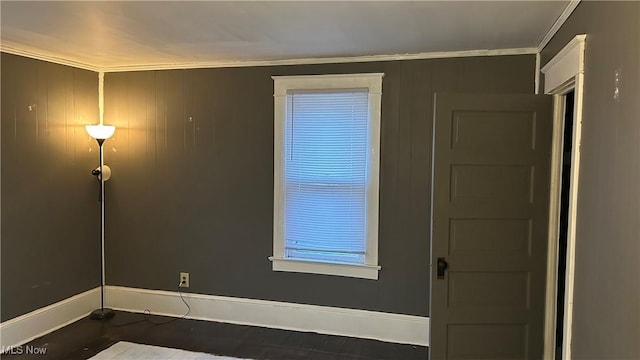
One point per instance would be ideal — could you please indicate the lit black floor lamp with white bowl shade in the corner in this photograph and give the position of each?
(102, 172)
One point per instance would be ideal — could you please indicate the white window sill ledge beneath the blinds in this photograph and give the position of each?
(312, 267)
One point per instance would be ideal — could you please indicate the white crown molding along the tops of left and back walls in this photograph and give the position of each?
(17, 49)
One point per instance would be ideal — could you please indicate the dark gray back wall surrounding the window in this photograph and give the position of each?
(192, 188)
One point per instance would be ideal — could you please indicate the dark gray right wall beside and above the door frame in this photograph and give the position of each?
(606, 319)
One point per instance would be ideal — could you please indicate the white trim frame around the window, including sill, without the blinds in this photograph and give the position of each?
(283, 84)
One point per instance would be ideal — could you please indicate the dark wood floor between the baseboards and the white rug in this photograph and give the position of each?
(85, 338)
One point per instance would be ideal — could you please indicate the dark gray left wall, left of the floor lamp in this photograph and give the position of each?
(50, 244)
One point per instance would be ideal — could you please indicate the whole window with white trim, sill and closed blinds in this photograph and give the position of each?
(326, 174)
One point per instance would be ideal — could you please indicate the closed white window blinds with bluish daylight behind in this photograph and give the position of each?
(325, 175)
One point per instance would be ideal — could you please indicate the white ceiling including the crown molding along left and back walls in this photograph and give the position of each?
(116, 35)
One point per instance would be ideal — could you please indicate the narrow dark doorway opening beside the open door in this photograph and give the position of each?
(567, 143)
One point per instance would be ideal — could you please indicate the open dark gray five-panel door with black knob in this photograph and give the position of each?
(490, 201)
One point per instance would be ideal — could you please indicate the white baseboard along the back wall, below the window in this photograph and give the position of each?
(397, 328)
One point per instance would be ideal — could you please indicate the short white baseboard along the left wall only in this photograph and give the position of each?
(24, 328)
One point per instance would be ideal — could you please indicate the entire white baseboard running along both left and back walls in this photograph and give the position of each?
(397, 328)
